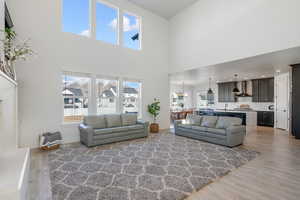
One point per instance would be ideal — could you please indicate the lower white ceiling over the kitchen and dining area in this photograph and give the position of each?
(266, 65)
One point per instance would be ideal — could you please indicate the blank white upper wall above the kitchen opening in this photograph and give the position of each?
(216, 31)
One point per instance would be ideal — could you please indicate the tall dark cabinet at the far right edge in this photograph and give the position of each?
(296, 100)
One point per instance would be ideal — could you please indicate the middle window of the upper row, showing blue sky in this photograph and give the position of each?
(107, 23)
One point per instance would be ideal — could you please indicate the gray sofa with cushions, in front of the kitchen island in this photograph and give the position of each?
(227, 131)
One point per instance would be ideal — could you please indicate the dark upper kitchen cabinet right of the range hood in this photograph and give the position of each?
(263, 90)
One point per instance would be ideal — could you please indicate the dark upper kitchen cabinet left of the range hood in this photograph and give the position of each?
(225, 93)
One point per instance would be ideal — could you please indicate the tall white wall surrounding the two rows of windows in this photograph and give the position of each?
(39, 78)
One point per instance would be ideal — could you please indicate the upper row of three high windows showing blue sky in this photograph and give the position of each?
(100, 20)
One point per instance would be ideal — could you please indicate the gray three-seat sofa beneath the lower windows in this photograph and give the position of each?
(104, 129)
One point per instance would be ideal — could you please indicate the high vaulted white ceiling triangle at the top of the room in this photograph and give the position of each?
(164, 8)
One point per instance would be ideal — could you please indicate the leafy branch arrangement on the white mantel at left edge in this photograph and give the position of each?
(13, 50)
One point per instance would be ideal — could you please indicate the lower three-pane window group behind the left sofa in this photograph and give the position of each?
(106, 98)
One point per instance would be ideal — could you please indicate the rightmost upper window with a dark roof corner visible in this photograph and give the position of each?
(131, 32)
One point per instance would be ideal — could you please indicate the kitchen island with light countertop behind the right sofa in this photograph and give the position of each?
(249, 117)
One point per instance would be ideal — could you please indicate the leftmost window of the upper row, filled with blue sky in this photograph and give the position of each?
(76, 17)
